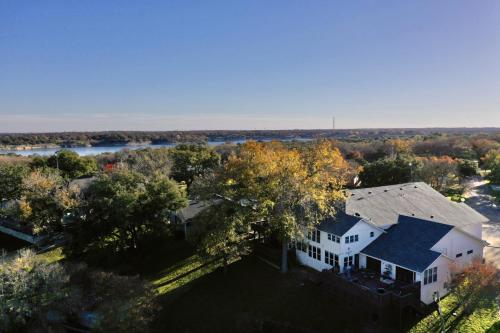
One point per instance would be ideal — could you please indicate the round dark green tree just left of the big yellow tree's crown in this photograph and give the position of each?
(190, 161)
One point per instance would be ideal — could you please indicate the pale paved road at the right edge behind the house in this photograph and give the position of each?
(484, 204)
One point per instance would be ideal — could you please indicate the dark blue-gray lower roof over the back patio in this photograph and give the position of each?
(408, 243)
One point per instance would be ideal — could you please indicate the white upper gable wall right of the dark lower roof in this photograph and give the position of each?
(456, 242)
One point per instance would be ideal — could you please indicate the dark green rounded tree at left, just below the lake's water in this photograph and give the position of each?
(71, 165)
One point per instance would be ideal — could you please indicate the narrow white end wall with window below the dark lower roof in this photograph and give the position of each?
(443, 277)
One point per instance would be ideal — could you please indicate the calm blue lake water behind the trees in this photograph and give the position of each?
(86, 151)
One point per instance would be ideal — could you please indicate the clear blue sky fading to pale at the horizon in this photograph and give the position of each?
(255, 64)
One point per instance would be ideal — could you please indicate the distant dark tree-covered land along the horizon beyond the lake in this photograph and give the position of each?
(58, 140)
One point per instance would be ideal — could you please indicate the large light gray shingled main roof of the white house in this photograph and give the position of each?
(382, 205)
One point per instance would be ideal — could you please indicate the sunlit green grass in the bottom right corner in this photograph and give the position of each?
(481, 319)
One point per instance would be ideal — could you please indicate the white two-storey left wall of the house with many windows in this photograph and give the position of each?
(342, 249)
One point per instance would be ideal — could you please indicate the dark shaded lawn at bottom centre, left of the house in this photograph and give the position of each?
(251, 297)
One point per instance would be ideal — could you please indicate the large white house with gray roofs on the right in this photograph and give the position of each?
(408, 233)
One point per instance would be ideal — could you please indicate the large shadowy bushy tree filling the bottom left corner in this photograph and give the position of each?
(38, 295)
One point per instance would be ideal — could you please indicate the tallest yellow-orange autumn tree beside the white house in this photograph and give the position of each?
(289, 189)
